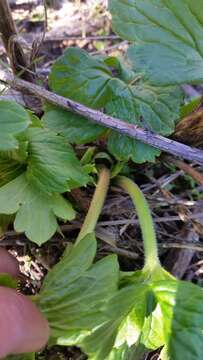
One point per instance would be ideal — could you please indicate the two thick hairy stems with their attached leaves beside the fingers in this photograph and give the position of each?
(112, 314)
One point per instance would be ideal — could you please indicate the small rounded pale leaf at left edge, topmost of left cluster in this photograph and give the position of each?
(14, 120)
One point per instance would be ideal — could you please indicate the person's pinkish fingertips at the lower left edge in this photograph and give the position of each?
(22, 327)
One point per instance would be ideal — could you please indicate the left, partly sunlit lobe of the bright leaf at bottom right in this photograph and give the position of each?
(125, 313)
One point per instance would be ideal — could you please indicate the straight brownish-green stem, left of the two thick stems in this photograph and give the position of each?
(96, 204)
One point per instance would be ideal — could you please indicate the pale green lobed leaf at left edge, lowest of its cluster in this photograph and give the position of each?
(36, 210)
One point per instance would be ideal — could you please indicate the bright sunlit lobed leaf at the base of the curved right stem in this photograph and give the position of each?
(174, 321)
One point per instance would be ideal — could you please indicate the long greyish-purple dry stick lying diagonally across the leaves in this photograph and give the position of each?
(133, 131)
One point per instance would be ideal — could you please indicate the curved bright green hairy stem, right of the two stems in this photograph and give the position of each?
(146, 222)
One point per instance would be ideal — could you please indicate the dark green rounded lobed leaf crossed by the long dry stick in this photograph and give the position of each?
(123, 97)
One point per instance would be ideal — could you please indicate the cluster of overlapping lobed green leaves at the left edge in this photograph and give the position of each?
(36, 166)
